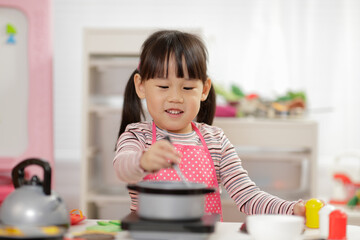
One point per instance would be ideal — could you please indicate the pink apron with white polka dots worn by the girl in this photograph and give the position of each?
(197, 166)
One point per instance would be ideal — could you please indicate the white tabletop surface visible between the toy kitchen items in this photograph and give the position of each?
(223, 230)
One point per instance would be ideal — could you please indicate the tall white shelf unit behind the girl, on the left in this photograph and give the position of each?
(109, 56)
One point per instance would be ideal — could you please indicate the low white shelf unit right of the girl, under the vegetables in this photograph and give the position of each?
(280, 156)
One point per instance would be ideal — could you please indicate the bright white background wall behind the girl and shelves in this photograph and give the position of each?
(267, 46)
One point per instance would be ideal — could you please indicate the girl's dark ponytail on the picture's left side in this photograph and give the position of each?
(132, 107)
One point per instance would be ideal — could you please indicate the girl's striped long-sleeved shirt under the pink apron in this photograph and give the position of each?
(249, 199)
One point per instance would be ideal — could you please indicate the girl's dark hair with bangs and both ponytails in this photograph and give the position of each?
(156, 51)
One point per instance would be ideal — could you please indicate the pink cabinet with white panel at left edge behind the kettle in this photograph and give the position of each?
(26, 95)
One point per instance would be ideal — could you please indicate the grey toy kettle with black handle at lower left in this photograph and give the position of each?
(32, 203)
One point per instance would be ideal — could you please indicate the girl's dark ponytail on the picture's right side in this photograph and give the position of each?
(207, 108)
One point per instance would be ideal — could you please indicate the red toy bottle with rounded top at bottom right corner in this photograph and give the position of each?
(337, 225)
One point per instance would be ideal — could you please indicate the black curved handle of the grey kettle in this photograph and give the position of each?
(18, 173)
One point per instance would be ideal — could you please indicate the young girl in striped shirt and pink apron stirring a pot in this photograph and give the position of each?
(172, 78)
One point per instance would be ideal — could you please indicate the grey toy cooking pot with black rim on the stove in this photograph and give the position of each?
(166, 200)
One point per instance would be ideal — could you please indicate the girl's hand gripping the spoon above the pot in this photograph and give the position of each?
(161, 154)
